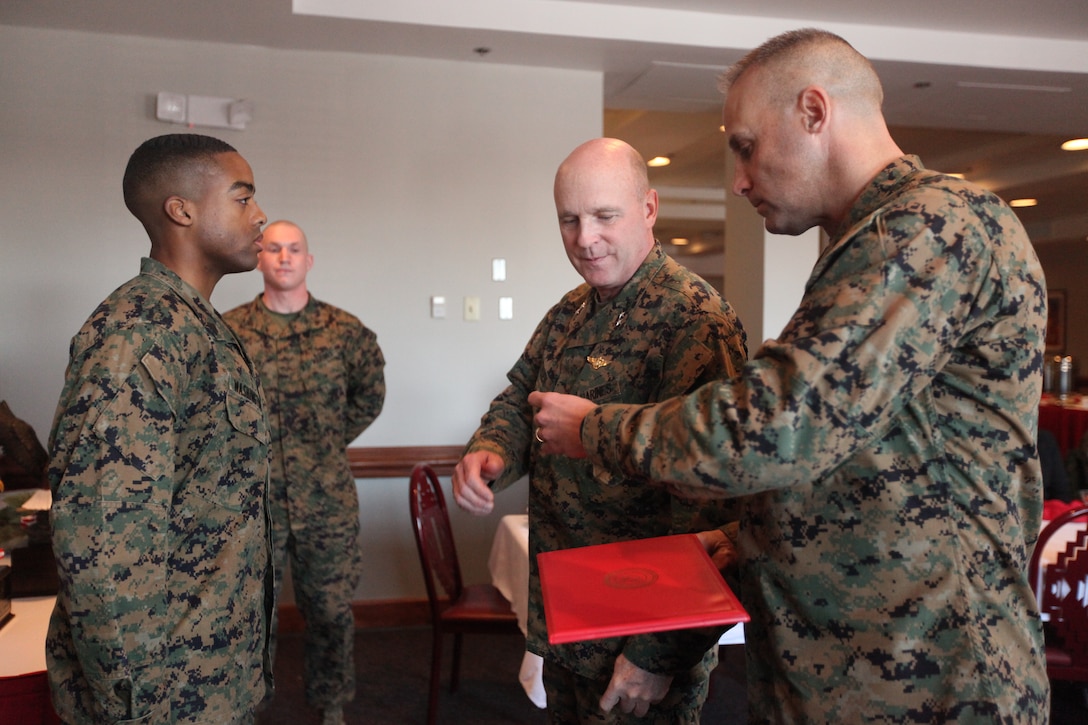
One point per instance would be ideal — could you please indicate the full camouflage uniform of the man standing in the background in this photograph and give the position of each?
(323, 373)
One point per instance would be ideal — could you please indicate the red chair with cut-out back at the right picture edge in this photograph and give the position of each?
(1062, 593)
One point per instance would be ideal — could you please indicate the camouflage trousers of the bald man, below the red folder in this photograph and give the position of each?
(575, 701)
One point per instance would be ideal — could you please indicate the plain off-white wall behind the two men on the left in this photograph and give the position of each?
(409, 176)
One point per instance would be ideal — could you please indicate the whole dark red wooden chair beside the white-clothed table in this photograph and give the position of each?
(474, 609)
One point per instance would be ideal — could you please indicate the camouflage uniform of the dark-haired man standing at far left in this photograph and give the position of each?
(159, 468)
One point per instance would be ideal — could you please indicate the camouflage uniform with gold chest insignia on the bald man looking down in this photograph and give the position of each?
(666, 333)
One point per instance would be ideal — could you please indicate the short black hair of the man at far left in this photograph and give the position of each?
(166, 156)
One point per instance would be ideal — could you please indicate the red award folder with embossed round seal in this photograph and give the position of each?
(634, 587)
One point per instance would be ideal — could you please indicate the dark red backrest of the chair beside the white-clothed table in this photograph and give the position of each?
(435, 538)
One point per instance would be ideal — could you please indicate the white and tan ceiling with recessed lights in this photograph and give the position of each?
(990, 89)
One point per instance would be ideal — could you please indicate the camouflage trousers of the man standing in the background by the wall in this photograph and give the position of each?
(325, 571)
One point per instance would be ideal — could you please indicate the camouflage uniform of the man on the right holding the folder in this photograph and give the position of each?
(888, 440)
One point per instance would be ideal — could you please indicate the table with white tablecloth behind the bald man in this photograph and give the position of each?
(509, 564)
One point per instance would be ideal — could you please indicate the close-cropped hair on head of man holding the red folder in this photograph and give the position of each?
(786, 65)
